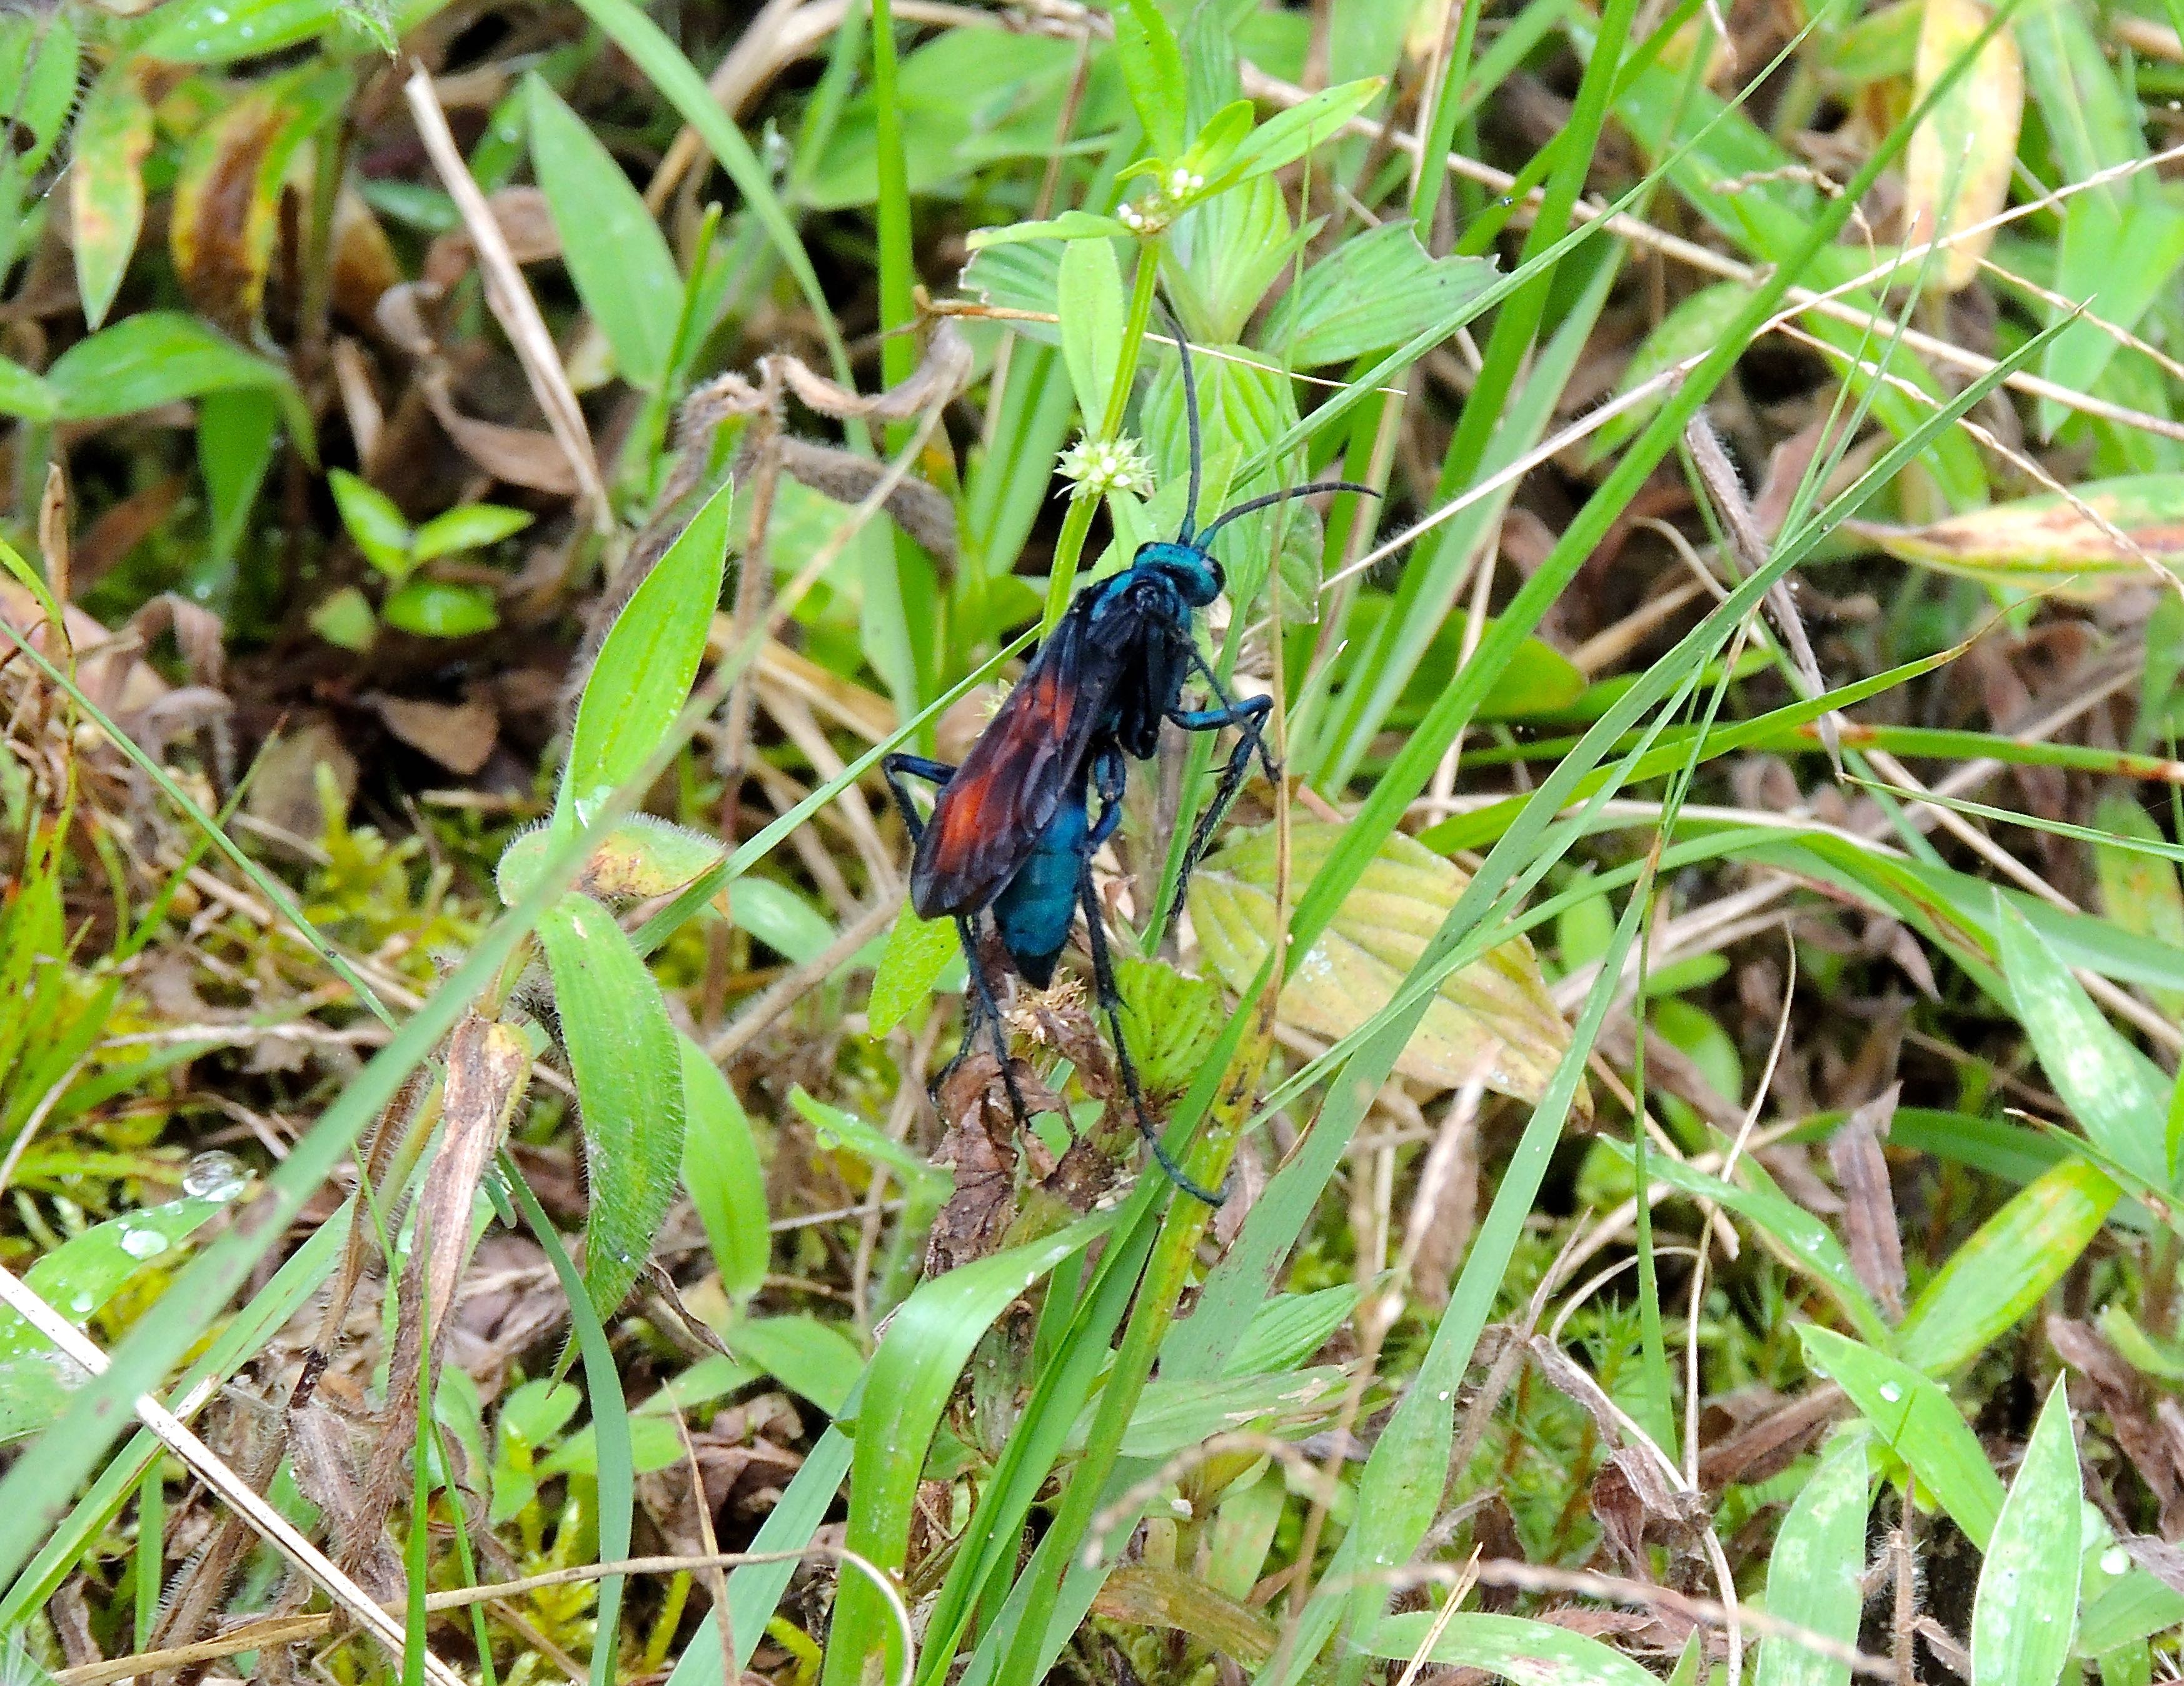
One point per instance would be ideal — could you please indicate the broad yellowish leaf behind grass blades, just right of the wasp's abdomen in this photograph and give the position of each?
(1493, 1021)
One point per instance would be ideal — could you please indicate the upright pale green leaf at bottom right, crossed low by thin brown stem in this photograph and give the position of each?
(1816, 1567)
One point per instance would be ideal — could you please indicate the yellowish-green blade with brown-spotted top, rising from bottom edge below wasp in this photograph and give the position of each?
(1167, 1274)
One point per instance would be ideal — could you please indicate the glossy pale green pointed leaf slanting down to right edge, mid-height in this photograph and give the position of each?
(2115, 1093)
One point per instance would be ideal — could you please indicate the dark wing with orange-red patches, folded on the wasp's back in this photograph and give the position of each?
(990, 816)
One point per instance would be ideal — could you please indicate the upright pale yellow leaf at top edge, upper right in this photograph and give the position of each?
(1965, 152)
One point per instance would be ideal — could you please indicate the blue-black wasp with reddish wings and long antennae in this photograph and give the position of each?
(1012, 829)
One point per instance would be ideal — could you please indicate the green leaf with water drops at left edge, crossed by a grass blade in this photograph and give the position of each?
(80, 1279)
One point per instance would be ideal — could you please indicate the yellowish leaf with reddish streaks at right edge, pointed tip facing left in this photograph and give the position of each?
(2061, 545)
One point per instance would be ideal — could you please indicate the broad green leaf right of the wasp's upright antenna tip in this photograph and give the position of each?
(1373, 292)
